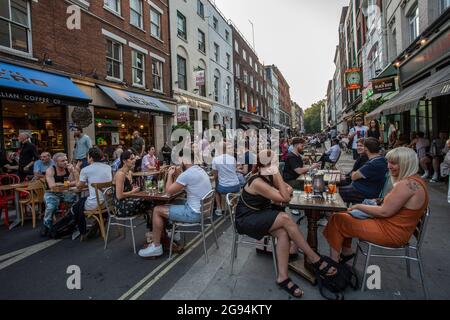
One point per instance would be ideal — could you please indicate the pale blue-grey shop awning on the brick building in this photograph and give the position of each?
(128, 99)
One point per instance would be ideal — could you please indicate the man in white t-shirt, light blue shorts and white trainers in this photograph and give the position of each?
(195, 182)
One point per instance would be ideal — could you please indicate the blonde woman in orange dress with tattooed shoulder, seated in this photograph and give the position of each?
(393, 223)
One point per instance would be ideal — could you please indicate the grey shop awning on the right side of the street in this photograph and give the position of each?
(435, 85)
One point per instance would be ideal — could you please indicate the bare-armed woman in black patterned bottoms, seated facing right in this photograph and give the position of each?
(126, 205)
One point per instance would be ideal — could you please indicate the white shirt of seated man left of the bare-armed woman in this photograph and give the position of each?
(95, 173)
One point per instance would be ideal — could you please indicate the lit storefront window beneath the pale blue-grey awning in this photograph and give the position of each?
(115, 126)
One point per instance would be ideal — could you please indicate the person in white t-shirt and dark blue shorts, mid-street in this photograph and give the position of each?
(225, 170)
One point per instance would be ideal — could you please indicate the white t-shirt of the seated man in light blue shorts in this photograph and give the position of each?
(196, 184)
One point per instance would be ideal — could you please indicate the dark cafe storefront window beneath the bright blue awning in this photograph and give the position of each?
(46, 124)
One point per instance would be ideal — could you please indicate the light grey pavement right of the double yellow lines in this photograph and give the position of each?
(253, 277)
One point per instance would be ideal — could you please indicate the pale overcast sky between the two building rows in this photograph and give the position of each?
(298, 36)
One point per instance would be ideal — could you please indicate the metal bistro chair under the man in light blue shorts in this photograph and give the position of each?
(206, 213)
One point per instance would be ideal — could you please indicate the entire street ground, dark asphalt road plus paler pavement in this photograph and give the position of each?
(38, 268)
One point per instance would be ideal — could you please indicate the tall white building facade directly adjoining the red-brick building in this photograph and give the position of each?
(190, 52)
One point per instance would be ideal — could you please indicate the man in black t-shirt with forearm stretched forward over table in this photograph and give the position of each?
(293, 167)
